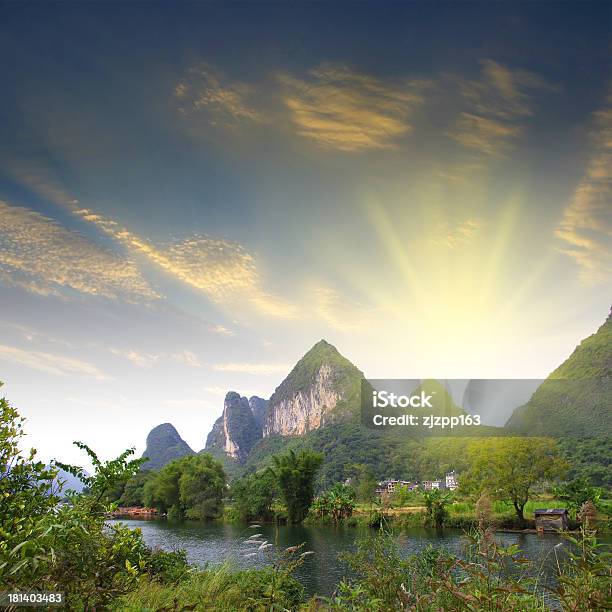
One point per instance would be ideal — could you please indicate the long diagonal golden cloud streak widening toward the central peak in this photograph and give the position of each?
(225, 271)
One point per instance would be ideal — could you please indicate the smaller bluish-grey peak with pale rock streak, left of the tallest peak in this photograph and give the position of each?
(238, 428)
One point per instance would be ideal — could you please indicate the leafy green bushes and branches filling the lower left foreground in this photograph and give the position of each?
(65, 547)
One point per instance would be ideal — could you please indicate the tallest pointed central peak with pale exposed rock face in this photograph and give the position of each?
(321, 387)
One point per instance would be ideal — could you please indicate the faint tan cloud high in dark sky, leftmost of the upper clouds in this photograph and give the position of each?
(225, 102)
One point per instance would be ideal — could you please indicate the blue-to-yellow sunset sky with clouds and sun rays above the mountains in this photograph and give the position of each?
(193, 194)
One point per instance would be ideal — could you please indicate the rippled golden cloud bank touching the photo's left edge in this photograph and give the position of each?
(41, 256)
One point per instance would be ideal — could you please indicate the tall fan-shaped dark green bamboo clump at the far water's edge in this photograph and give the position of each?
(295, 475)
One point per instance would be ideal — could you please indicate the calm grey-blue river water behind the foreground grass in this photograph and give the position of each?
(321, 572)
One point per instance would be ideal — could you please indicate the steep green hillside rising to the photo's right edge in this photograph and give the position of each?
(576, 399)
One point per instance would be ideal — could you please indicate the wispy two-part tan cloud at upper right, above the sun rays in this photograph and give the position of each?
(496, 102)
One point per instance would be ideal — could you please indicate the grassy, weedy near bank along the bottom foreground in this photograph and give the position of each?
(384, 582)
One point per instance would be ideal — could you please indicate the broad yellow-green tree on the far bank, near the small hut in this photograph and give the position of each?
(511, 468)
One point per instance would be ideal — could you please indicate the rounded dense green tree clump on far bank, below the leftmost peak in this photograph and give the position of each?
(191, 487)
